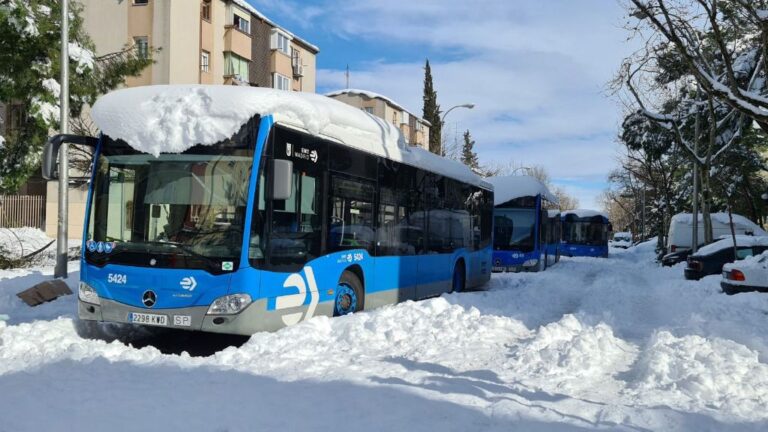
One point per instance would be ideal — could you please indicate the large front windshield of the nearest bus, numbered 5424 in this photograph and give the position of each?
(181, 210)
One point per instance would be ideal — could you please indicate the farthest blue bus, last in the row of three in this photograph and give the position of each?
(585, 233)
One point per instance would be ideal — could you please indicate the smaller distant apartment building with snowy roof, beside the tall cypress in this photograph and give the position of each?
(414, 128)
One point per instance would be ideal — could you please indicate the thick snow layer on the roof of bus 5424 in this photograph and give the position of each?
(173, 118)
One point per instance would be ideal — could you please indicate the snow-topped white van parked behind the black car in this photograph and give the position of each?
(681, 229)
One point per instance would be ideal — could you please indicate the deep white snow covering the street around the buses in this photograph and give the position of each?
(615, 343)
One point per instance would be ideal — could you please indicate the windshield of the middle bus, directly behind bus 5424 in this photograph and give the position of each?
(515, 229)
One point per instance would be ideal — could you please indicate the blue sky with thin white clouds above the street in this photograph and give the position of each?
(536, 70)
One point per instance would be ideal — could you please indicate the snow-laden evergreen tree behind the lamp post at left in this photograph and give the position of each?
(30, 68)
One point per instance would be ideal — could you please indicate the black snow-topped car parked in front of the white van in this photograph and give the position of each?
(711, 258)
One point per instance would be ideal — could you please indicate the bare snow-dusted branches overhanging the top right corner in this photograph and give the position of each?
(722, 44)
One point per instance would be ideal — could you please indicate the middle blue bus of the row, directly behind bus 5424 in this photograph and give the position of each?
(525, 238)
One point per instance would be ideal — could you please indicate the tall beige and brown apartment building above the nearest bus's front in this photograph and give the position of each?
(203, 41)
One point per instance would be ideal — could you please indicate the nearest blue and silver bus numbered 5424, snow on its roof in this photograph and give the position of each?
(277, 223)
